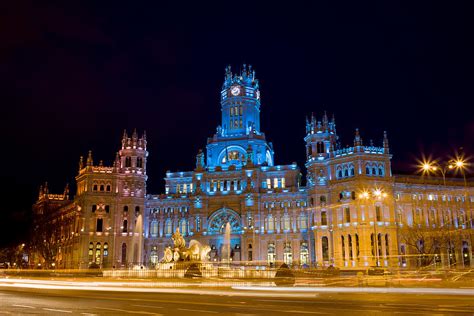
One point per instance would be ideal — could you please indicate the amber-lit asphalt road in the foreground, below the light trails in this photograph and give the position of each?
(84, 302)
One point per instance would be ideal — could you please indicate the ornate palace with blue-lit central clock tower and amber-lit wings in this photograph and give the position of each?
(352, 213)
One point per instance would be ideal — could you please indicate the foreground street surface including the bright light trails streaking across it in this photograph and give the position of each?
(95, 299)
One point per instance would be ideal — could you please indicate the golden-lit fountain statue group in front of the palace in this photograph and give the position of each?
(195, 252)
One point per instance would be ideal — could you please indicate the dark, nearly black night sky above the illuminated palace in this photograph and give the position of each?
(72, 77)
